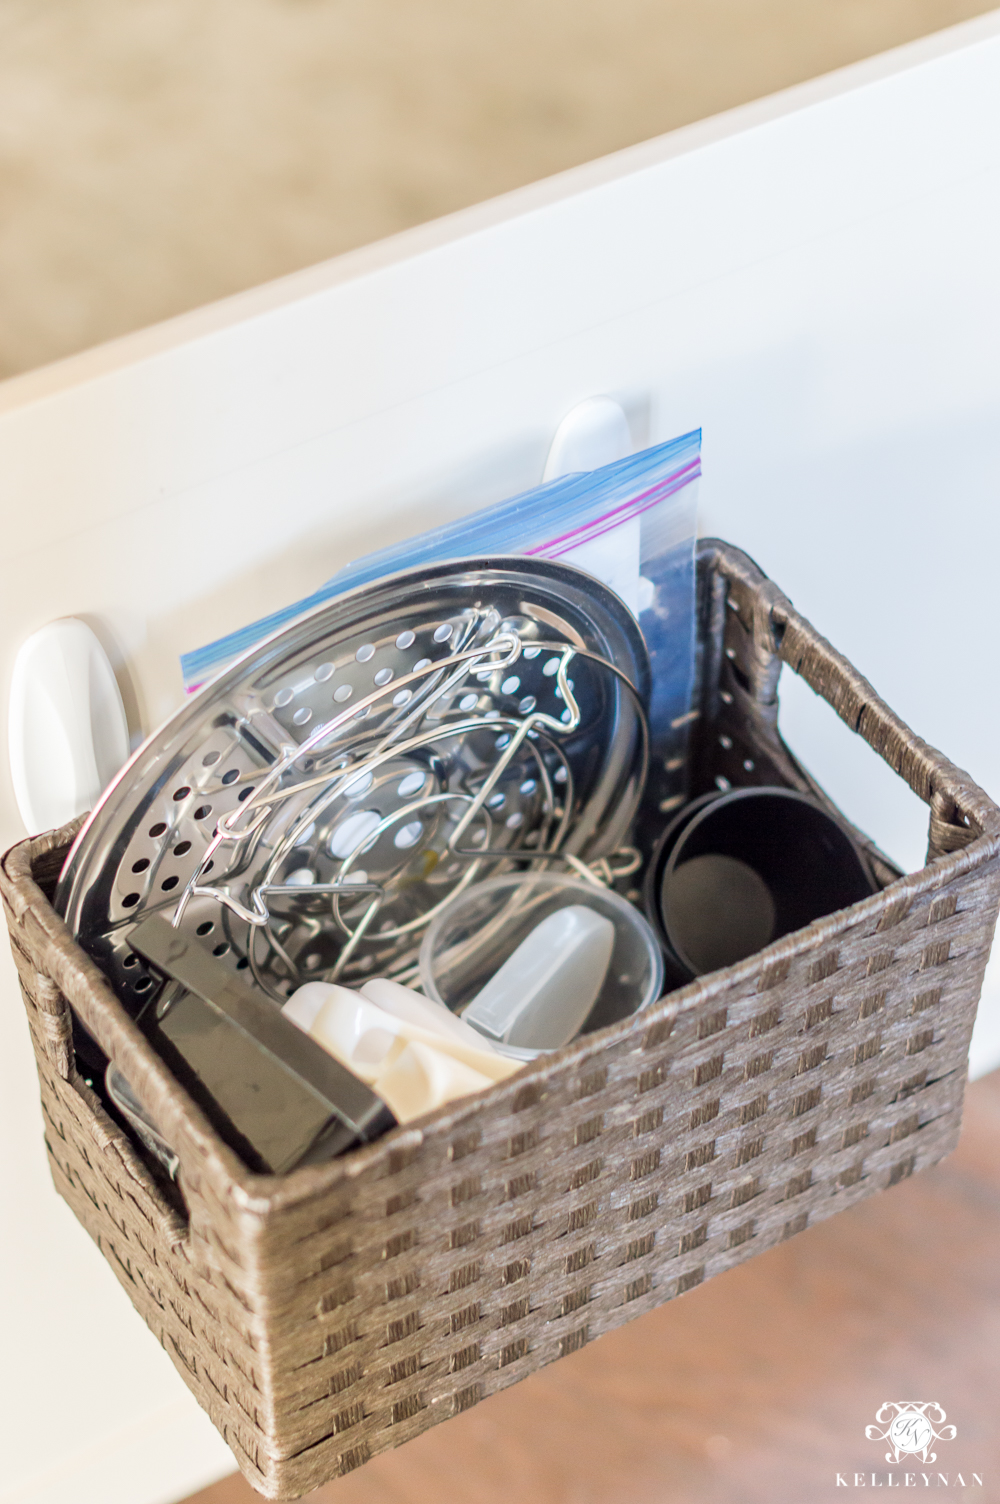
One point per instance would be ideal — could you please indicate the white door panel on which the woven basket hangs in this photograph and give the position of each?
(810, 279)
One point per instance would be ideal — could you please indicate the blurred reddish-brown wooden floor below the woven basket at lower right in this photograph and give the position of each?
(757, 1387)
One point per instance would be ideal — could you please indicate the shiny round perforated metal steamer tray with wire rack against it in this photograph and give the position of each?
(311, 810)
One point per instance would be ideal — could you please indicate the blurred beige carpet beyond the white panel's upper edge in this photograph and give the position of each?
(160, 154)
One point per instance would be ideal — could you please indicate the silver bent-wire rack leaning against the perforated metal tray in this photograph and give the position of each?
(411, 732)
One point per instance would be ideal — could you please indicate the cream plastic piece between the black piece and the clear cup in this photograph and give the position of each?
(411, 1067)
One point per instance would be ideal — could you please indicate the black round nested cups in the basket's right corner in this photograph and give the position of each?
(736, 872)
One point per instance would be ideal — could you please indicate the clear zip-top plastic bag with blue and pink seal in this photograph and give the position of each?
(631, 524)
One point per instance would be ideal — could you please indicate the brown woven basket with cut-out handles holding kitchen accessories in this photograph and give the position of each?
(336, 1312)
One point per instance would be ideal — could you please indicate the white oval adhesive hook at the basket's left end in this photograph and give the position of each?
(68, 732)
